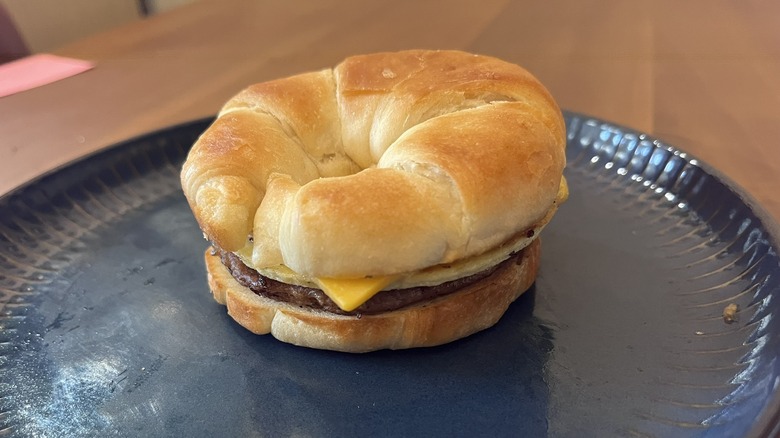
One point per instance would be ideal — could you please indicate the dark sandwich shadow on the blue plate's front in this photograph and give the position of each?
(492, 382)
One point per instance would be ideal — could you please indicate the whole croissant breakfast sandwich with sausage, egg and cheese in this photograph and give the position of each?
(392, 202)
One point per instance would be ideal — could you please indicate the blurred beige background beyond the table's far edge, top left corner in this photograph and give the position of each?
(35, 26)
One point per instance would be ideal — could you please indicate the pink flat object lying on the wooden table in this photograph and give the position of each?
(37, 70)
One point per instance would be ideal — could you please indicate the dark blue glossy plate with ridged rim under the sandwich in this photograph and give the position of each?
(107, 327)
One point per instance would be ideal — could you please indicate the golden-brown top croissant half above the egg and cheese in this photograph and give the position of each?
(458, 152)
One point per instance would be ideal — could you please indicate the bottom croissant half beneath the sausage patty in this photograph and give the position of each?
(445, 319)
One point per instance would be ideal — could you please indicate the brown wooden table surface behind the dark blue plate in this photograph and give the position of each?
(703, 75)
